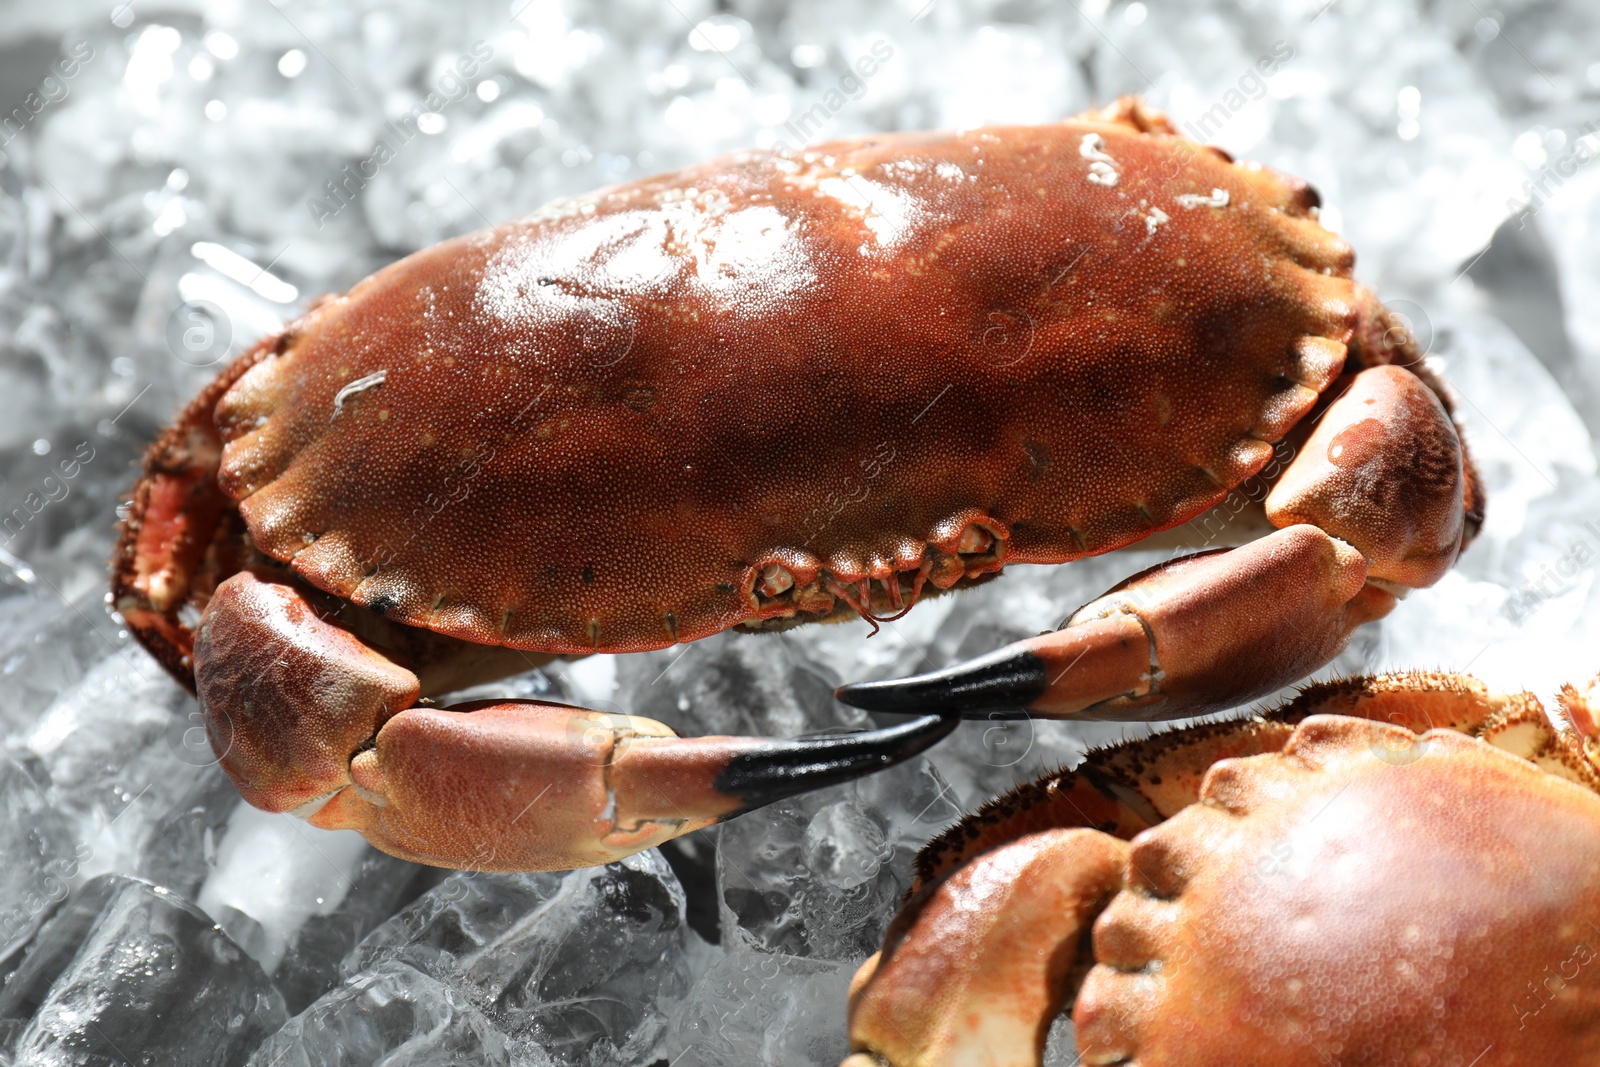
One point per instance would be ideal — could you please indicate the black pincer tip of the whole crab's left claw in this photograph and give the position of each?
(798, 765)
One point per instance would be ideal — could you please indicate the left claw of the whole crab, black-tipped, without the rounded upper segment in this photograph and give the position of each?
(521, 786)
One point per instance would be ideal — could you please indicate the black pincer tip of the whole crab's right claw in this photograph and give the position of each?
(1006, 681)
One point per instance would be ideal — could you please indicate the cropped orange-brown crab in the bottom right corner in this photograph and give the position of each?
(1390, 871)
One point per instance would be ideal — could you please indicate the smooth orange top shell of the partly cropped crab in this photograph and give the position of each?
(1367, 897)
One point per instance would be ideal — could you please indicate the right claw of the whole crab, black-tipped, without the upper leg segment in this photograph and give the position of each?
(1196, 636)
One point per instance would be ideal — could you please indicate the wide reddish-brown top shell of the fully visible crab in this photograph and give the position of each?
(593, 428)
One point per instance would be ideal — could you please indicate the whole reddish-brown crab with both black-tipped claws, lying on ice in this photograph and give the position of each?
(764, 391)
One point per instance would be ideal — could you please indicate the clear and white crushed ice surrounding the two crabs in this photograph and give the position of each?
(202, 129)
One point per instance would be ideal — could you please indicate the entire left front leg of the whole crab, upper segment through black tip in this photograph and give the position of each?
(306, 717)
